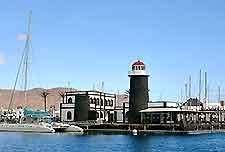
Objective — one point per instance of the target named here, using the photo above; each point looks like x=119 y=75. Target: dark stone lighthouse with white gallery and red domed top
x=138 y=93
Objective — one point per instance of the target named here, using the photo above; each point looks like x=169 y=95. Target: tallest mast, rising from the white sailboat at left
x=26 y=61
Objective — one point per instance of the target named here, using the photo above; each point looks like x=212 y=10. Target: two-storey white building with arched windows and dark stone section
x=88 y=105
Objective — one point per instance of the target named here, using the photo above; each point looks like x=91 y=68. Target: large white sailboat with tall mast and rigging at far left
x=24 y=126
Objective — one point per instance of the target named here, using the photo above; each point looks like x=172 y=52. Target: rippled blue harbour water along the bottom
x=27 y=142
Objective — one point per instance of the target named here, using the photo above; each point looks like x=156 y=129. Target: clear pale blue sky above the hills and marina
x=84 y=43
